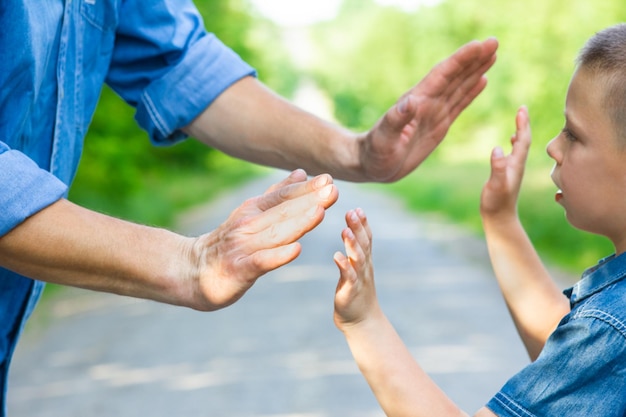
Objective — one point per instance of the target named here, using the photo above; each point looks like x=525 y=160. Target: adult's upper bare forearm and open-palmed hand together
x=251 y=122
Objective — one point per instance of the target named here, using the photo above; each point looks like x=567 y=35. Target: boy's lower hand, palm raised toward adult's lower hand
x=355 y=297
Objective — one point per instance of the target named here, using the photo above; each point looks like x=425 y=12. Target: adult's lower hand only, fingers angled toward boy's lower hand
x=259 y=236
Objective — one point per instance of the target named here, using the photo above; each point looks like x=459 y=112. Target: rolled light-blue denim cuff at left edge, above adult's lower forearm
x=25 y=189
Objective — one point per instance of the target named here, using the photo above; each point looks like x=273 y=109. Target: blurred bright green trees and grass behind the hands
x=349 y=61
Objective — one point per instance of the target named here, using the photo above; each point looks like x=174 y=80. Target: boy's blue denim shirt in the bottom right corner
x=582 y=368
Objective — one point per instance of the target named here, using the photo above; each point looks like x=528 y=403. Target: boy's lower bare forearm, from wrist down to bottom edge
x=398 y=382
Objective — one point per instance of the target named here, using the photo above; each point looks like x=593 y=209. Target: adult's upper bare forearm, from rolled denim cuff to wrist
x=251 y=122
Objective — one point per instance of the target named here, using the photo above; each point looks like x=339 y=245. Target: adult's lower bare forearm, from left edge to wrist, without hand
x=70 y=245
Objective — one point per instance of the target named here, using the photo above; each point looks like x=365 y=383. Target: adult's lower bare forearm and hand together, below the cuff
x=70 y=245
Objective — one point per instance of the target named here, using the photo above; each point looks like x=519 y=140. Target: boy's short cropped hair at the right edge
x=605 y=54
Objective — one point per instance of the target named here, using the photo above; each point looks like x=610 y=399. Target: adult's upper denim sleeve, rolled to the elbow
x=168 y=67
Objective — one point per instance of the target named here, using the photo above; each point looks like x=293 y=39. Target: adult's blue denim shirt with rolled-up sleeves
x=54 y=58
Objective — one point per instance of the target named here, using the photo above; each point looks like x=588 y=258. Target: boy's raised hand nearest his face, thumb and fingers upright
x=499 y=195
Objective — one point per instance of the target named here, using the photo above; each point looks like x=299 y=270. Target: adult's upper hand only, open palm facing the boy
x=419 y=121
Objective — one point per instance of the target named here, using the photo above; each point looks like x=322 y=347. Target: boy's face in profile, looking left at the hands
x=590 y=168
